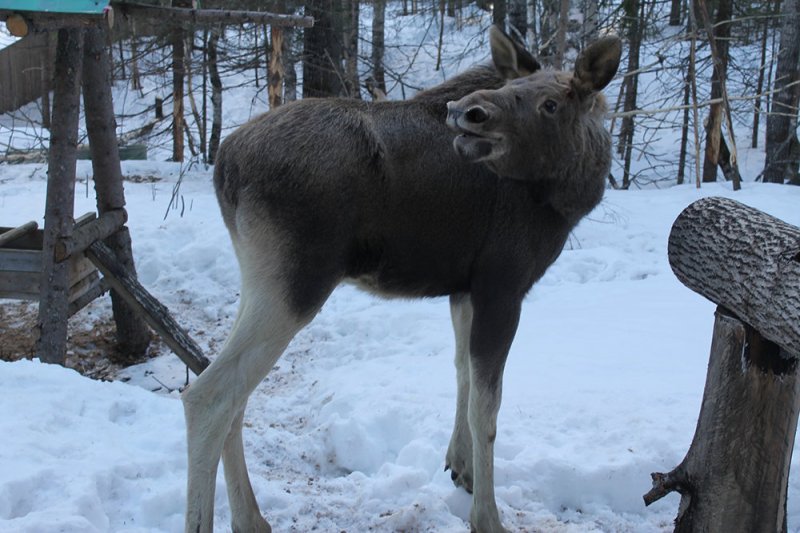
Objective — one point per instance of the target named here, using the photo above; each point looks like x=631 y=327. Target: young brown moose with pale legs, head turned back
x=467 y=190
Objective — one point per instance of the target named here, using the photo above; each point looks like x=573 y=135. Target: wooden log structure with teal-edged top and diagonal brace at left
x=60 y=260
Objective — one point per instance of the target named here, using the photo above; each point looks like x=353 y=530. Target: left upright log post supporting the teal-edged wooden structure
x=58 y=219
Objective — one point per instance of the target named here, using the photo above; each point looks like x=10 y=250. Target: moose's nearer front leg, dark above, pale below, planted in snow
x=493 y=327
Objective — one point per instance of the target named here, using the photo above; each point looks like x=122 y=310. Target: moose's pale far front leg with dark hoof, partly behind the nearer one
x=459 y=453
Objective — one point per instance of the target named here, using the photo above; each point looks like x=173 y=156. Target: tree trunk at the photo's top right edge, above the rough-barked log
x=779 y=164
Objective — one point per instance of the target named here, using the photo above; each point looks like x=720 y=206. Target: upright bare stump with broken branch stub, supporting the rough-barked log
x=736 y=472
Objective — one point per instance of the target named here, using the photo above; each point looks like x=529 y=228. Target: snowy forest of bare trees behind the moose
x=703 y=83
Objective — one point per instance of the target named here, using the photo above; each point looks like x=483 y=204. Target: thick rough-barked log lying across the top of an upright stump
x=744 y=260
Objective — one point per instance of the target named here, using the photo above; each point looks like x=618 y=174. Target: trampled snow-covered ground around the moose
x=603 y=386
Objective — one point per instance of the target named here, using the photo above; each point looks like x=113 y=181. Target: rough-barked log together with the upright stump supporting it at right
x=735 y=474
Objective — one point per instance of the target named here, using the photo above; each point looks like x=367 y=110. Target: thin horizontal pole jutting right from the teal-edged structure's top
x=210 y=16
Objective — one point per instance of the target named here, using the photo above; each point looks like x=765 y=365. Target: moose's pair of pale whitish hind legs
x=215 y=402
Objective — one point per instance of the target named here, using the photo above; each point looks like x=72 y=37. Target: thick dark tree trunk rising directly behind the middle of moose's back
x=322 y=51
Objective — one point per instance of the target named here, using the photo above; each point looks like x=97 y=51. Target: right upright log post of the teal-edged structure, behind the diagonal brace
x=133 y=337
